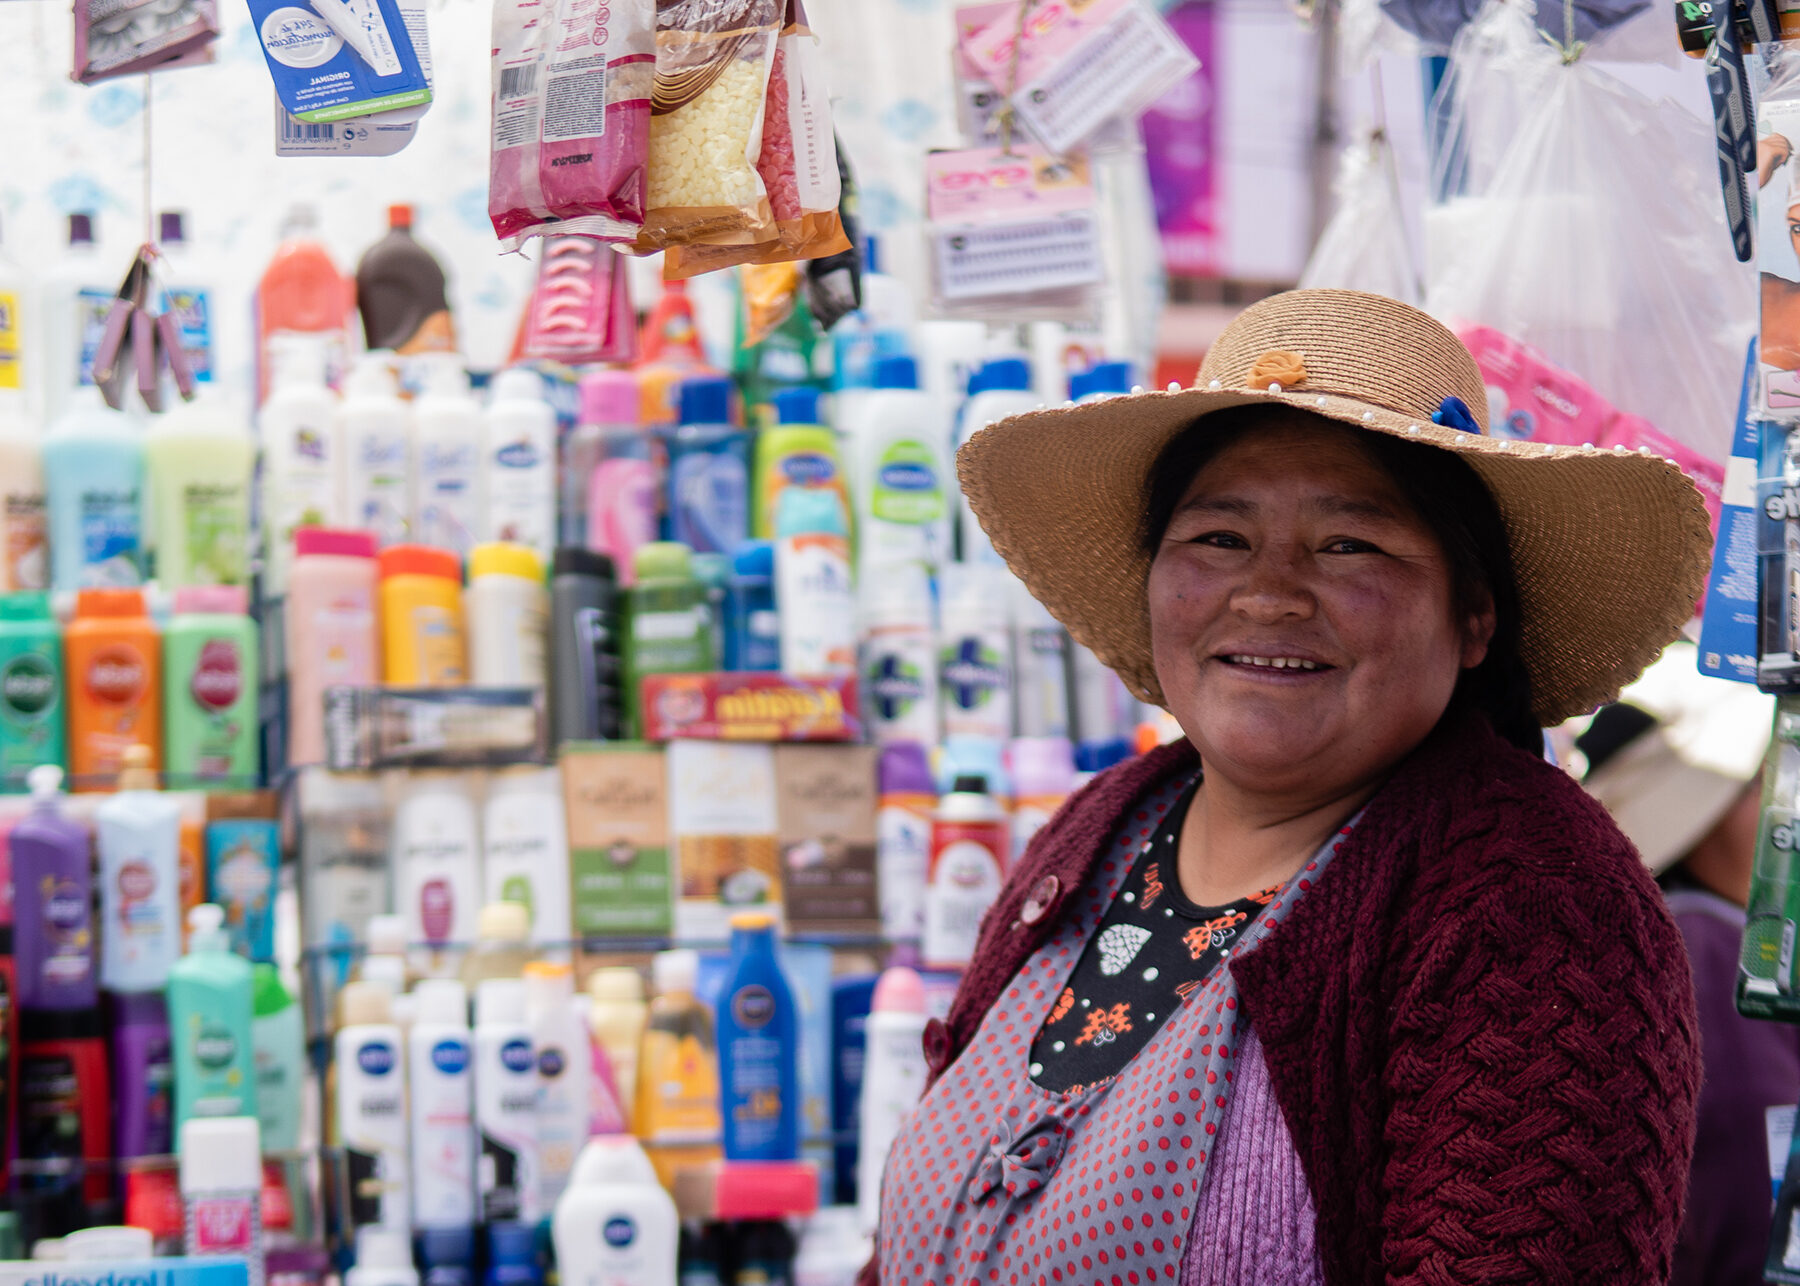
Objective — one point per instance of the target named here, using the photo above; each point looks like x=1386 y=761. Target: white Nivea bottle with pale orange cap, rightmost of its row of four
x=566 y=1064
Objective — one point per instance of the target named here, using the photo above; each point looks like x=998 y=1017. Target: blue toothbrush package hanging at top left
x=334 y=60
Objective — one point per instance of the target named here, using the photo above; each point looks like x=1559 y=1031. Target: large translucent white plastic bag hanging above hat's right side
x=1556 y=248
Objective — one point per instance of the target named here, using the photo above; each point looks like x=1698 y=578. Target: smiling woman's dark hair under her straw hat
x=1446 y=494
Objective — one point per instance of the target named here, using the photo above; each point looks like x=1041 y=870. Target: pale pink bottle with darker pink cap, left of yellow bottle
x=330 y=629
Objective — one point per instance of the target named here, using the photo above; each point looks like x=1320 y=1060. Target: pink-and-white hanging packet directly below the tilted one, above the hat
x=1014 y=235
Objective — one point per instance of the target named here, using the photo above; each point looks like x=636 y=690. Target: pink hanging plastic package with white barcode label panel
x=571 y=118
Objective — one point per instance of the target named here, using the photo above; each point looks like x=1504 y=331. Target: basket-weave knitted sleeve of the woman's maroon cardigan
x=1542 y=1074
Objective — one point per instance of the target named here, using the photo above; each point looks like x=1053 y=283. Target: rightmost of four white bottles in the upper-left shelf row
x=519 y=466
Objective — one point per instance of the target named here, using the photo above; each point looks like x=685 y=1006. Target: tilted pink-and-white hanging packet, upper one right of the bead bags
x=1070 y=68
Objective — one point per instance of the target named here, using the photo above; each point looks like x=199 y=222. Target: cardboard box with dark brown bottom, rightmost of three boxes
x=825 y=804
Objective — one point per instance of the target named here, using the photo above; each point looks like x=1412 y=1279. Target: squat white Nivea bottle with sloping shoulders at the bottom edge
x=616 y=1226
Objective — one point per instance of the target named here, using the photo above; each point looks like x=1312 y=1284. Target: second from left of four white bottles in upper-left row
x=377 y=439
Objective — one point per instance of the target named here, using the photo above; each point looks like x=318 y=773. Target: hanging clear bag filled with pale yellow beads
x=706 y=127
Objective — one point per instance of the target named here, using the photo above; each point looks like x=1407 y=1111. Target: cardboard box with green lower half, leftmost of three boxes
x=616 y=797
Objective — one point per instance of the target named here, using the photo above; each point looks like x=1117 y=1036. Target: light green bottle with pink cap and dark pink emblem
x=210 y=703
